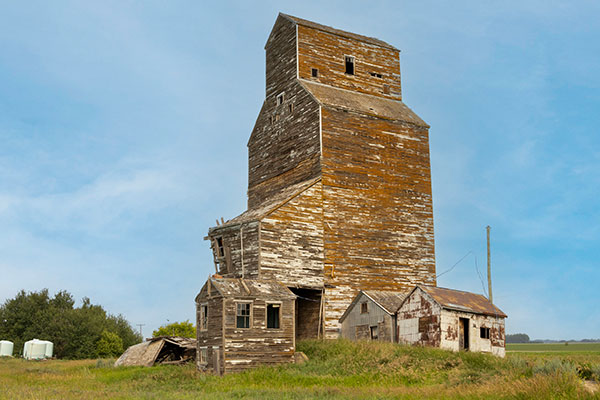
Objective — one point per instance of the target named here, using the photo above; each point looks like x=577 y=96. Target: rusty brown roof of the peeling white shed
x=459 y=300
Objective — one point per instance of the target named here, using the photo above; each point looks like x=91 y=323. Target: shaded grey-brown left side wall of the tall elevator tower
x=284 y=147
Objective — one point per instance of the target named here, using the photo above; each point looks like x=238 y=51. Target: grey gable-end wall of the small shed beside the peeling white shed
x=357 y=325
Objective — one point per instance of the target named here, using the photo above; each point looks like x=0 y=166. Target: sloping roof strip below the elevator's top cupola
x=361 y=102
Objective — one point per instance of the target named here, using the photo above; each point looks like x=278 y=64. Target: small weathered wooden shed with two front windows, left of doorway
x=242 y=323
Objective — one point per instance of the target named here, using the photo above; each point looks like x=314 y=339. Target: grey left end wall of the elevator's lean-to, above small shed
x=233 y=237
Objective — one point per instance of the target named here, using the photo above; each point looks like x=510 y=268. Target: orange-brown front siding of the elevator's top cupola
x=326 y=51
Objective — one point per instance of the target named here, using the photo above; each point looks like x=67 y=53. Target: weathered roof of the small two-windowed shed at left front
x=237 y=287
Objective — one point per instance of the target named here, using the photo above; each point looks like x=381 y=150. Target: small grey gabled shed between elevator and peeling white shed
x=372 y=316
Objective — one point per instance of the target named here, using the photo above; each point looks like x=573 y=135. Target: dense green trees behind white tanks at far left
x=81 y=332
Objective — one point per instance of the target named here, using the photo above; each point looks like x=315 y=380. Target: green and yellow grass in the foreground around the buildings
x=335 y=370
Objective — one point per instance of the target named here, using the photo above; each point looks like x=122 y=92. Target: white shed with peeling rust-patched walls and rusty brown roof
x=451 y=319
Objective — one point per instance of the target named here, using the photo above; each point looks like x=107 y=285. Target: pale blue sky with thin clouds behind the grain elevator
x=123 y=131
